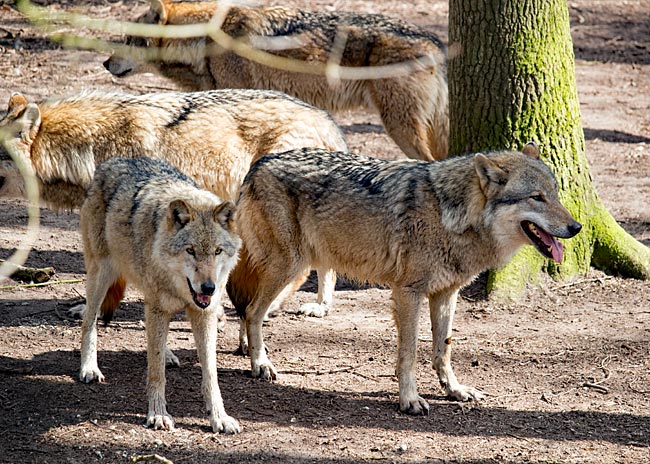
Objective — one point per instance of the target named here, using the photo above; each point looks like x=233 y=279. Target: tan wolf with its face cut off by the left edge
x=211 y=136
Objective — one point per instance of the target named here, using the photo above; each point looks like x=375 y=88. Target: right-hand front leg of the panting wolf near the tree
x=442 y=307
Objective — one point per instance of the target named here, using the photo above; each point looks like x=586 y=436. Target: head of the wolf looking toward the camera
x=200 y=246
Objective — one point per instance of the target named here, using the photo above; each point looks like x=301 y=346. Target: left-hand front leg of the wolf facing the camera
x=157 y=326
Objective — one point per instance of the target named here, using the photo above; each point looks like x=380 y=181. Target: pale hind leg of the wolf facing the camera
x=100 y=277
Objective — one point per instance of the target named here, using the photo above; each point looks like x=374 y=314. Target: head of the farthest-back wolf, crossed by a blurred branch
x=139 y=50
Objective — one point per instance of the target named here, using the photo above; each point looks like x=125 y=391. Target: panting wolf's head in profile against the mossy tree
x=522 y=205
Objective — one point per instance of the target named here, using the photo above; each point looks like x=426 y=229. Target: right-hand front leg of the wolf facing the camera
x=204 y=327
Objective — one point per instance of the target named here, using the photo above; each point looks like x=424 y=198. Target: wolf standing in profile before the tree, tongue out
x=423 y=229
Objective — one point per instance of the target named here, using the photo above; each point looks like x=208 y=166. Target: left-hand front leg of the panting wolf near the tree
x=406 y=311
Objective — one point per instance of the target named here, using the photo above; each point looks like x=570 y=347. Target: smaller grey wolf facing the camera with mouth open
x=148 y=224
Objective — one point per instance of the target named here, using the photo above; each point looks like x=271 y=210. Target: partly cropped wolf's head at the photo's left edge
x=18 y=128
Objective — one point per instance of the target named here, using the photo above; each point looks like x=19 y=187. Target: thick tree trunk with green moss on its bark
x=511 y=81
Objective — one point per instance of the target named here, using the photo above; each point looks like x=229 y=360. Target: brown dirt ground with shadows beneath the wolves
x=567 y=369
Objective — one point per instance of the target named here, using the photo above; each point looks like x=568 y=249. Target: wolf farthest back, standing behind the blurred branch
x=413 y=107
